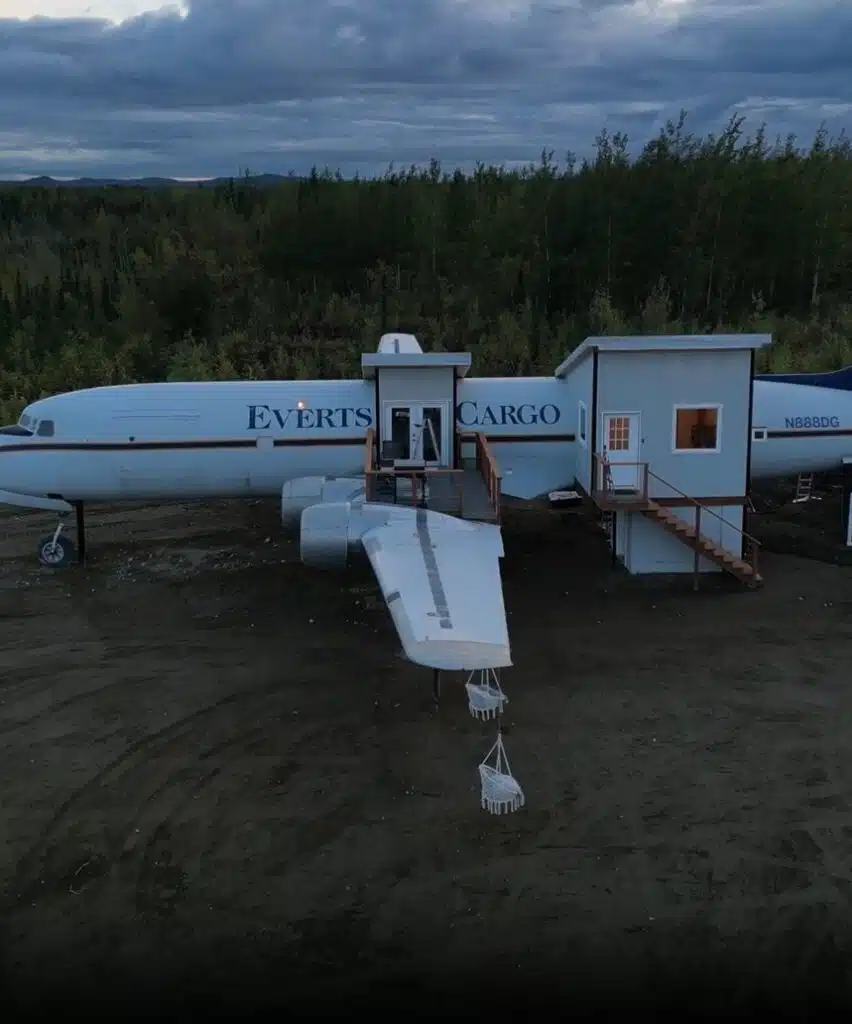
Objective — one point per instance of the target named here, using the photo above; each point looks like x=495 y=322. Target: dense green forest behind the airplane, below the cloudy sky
x=297 y=280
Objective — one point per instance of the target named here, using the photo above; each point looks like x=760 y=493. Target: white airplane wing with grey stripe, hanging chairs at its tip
x=442 y=584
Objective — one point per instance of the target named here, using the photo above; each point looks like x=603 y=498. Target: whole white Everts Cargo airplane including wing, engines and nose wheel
x=305 y=442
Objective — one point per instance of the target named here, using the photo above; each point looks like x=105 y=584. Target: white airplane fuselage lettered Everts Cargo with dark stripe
x=244 y=439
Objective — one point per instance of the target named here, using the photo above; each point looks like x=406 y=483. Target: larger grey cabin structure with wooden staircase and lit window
x=664 y=429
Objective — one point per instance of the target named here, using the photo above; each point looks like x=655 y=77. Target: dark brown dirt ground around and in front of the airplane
x=221 y=778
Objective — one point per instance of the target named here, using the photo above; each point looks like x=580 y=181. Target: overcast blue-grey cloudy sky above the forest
x=209 y=88
